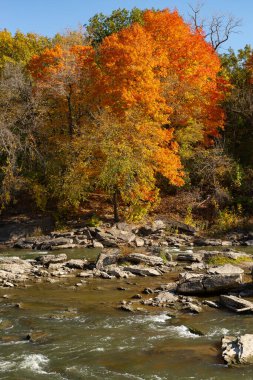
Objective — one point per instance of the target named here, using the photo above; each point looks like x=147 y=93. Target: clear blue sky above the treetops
x=48 y=17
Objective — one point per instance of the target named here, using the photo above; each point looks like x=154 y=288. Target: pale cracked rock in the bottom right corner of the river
x=238 y=350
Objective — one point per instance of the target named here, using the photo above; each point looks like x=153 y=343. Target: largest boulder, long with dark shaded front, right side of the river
x=193 y=283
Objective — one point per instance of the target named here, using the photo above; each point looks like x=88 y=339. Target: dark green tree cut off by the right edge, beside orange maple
x=238 y=131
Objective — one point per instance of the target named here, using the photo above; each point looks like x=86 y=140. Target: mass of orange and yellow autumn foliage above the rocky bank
x=117 y=114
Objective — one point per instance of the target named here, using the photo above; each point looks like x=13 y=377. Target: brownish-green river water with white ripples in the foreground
x=85 y=336
